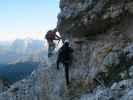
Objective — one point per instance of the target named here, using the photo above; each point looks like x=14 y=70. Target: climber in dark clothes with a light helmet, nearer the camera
x=65 y=57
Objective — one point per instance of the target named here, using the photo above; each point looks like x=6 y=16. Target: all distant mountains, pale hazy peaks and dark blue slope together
x=20 y=57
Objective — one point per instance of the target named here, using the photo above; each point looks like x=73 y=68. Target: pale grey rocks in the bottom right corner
x=121 y=91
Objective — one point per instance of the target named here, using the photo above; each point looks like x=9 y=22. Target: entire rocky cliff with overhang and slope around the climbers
x=102 y=67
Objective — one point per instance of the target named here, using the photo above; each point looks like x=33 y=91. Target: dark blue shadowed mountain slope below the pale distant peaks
x=18 y=71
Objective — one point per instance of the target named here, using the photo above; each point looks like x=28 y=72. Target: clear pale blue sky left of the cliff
x=27 y=18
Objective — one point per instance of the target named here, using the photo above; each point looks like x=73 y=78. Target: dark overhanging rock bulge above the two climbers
x=85 y=17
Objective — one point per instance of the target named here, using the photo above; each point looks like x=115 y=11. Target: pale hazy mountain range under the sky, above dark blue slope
x=22 y=50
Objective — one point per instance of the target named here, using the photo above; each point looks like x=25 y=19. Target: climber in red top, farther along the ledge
x=50 y=36
